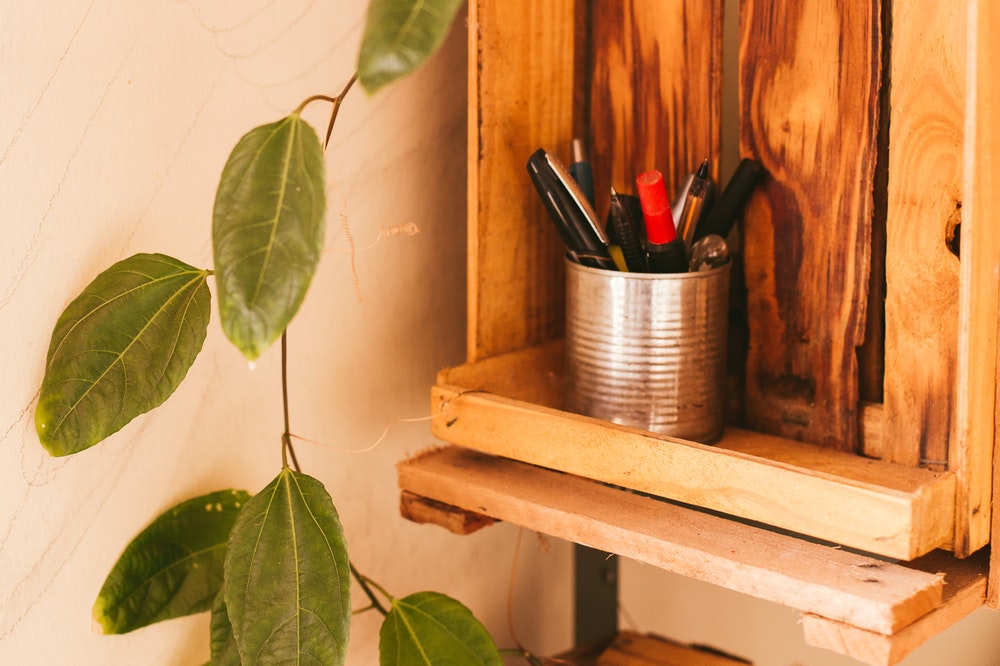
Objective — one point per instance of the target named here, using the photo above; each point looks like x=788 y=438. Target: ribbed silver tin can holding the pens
x=648 y=350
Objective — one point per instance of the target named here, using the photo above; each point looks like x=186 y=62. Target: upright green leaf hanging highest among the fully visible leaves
x=267 y=231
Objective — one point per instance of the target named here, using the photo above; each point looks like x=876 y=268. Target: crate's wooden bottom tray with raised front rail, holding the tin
x=871 y=505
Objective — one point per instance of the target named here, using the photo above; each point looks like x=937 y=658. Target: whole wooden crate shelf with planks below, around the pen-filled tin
x=856 y=329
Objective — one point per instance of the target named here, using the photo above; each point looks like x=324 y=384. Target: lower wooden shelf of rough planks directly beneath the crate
x=867 y=607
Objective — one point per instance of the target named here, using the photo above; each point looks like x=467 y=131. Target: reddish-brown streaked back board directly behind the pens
x=656 y=92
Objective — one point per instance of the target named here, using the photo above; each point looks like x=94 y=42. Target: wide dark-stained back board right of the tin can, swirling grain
x=809 y=88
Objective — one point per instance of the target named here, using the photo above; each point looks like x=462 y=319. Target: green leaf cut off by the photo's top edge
x=400 y=35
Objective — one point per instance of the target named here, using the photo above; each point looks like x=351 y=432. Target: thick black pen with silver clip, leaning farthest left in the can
x=568 y=207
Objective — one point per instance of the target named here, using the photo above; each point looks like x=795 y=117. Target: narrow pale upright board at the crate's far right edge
x=972 y=455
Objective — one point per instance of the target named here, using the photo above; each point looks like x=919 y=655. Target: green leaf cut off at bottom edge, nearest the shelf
x=431 y=628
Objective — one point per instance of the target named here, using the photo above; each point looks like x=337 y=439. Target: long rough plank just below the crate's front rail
x=834 y=583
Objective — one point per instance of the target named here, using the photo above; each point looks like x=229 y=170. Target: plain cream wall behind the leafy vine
x=115 y=120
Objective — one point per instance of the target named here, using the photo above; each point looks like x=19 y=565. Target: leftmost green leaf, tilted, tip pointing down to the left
x=120 y=349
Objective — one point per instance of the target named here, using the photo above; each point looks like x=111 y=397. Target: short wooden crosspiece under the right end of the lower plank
x=964 y=591
